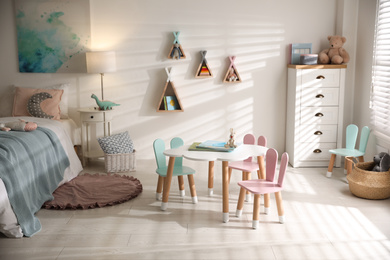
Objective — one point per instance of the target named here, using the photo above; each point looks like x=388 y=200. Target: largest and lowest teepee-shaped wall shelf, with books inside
x=169 y=101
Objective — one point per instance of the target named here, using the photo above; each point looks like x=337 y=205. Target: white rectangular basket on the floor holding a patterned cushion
x=121 y=162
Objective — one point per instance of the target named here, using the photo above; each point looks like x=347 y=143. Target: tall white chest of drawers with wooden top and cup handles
x=315 y=100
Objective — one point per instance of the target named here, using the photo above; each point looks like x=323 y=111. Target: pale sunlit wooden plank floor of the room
x=323 y=221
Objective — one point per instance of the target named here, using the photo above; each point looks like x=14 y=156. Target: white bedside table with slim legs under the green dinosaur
x=91 y=117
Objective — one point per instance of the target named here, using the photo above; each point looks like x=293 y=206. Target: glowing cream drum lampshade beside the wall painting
x=101 y=61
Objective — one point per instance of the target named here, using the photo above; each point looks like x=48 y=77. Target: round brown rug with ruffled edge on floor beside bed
x=93 y=190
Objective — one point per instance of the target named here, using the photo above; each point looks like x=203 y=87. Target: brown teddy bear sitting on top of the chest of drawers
x=336 y=54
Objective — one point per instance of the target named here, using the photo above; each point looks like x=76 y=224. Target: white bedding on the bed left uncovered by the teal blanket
x=68 y=134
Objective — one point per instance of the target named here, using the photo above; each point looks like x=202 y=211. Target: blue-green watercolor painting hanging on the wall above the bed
x=52 y=35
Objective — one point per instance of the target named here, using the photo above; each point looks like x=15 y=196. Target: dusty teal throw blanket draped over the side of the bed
x=32 y=164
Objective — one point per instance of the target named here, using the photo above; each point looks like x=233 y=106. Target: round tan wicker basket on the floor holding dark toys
x=368 y=184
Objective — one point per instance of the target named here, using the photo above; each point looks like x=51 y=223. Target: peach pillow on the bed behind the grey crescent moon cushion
x=50 y=106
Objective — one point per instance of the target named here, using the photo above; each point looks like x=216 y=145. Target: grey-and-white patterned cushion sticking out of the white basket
x=118 y=143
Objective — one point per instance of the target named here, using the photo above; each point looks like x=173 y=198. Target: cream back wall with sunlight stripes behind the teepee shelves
x=140 y=31
